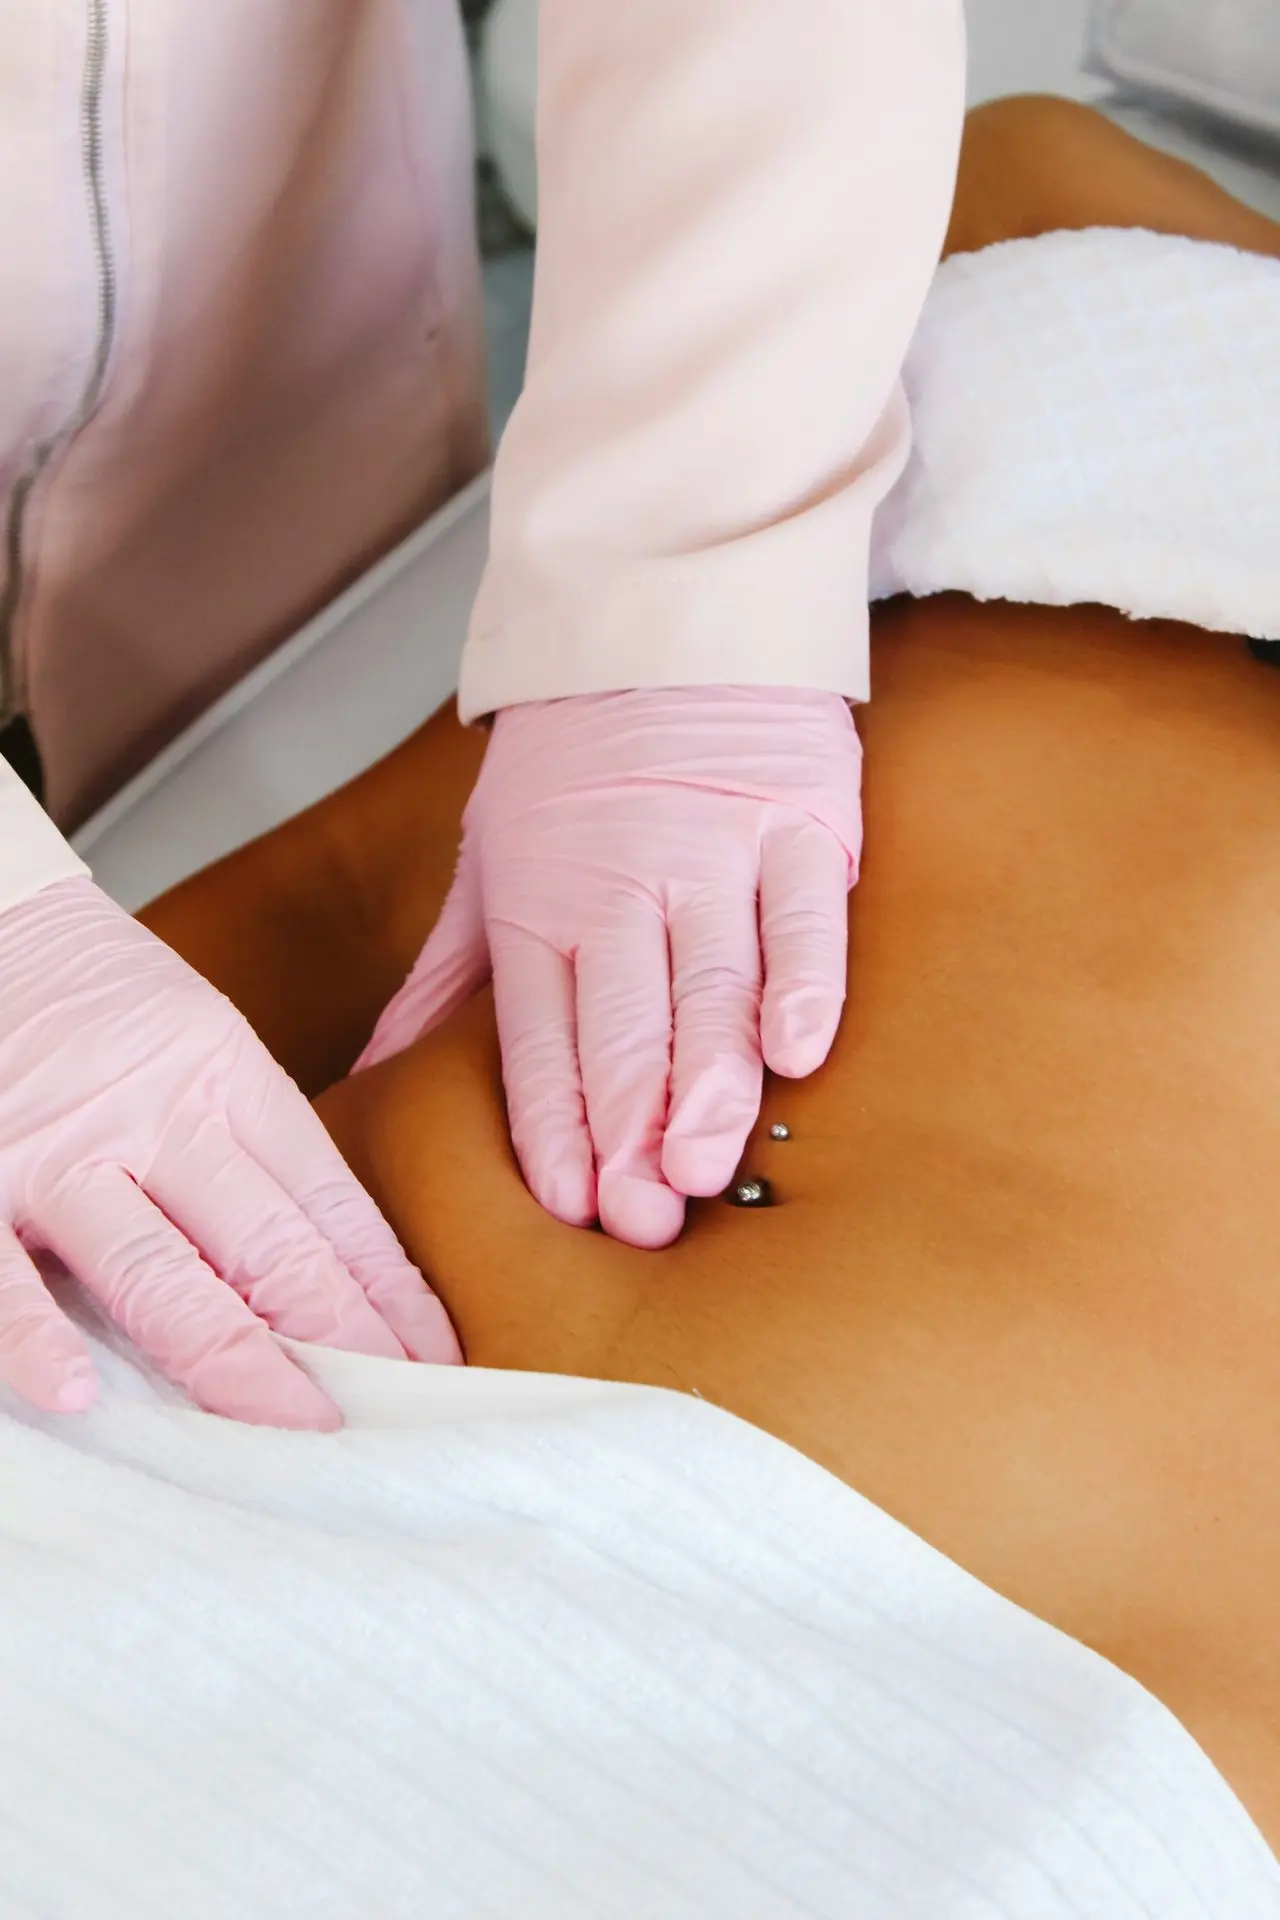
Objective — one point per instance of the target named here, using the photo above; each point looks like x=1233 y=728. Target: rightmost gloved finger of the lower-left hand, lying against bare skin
x=287 y=1140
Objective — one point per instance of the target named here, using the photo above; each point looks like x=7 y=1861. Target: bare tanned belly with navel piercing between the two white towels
x=1022 y=1285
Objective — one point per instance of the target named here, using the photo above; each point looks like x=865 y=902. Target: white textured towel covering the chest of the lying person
x=1097 y=420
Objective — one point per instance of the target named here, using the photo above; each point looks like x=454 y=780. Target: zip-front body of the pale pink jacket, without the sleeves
x=245 y=308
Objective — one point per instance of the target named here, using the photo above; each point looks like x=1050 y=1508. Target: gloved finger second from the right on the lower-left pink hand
x=262 y=1245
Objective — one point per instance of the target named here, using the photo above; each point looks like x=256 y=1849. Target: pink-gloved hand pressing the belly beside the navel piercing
x=659 y=886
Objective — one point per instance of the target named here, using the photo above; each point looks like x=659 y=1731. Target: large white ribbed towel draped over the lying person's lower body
x=548 y=1650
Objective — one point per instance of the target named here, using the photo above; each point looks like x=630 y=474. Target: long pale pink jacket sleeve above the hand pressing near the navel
x=742 y=206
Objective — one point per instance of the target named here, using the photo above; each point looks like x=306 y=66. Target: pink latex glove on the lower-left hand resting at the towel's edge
x=154 y=1147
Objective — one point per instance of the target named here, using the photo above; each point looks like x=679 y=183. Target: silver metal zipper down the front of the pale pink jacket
x=93 y=87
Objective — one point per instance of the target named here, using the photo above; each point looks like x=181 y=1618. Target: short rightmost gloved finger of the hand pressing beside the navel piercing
x=805 y=882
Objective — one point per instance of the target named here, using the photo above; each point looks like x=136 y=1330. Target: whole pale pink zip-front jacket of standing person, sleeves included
x=241 y=347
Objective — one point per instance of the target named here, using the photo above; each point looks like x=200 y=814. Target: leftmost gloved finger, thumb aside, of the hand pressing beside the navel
x=534 y=997
